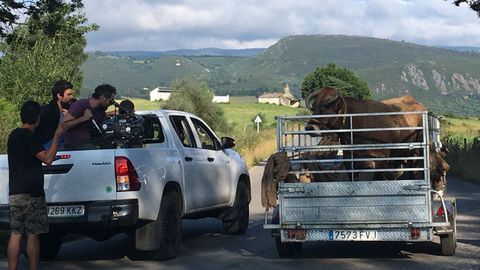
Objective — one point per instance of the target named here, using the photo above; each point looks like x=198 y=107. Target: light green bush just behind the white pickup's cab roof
x=195 y=97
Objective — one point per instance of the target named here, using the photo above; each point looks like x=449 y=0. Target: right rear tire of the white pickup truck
x=170 y=225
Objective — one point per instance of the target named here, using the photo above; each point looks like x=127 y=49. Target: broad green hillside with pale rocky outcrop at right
x=447 y=81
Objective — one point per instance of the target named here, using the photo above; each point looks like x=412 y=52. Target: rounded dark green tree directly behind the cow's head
x=344 y=80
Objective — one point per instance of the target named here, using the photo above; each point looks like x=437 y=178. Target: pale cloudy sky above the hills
x=236 y=24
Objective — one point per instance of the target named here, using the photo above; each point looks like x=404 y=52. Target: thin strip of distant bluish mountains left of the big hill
x=186 y=52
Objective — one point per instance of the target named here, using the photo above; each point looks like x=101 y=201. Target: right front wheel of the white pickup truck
x=236 y=222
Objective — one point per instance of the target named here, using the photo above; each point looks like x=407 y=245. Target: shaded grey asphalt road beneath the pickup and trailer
x=205 y=246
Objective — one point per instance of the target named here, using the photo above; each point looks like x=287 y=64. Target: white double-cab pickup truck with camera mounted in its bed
x=158 y=168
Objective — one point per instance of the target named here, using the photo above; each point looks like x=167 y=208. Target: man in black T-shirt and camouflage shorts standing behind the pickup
x=28 y=209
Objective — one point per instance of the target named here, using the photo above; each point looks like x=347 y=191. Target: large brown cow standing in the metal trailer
x=329 y=101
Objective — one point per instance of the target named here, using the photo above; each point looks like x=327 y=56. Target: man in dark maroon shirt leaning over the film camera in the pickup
x=84 y=114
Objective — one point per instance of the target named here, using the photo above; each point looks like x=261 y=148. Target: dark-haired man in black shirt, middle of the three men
x=51 y=116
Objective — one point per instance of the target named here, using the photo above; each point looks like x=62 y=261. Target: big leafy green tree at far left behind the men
x=47 y=46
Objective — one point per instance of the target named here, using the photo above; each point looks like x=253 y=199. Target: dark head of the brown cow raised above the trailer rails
x=326 y=100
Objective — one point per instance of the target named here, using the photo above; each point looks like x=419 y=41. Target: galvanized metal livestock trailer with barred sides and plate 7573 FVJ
x=359 y=190
